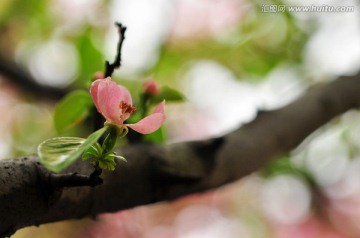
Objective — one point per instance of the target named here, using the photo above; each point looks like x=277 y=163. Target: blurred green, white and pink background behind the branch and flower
x=230 y=58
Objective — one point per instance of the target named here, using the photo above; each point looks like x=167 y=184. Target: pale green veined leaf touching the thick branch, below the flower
x=58 y=153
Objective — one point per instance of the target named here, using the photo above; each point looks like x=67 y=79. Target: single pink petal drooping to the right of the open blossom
x=152 y=122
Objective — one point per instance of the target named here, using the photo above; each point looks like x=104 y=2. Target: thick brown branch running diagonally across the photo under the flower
x=157 y=173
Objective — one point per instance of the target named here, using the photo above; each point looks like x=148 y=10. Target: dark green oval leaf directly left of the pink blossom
x=72 y=109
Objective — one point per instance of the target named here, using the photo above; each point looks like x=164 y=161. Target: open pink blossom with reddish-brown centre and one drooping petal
x=114 y=102
